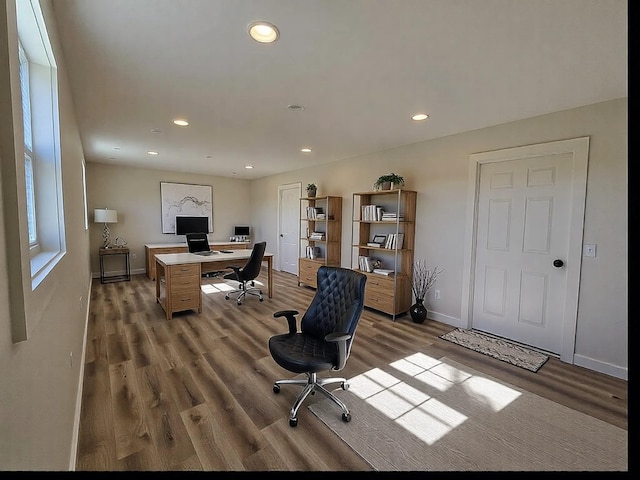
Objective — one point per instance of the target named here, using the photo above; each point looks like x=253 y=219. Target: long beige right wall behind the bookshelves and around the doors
x=438 y=170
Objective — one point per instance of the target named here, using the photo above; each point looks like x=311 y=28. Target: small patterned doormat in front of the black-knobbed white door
x=497 y=348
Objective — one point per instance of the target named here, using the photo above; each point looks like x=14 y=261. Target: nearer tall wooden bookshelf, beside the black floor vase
x=381 y=214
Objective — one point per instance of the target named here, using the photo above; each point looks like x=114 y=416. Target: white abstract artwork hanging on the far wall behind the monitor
x=185 y=199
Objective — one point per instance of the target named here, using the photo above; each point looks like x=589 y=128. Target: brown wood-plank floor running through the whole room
x=195 y=392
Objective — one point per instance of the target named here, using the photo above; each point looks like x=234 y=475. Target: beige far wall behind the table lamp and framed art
x=135 y=194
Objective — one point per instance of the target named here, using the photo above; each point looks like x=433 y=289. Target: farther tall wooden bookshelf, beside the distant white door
x=322 y=216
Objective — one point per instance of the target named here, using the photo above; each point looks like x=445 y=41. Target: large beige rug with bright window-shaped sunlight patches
x=428 y=414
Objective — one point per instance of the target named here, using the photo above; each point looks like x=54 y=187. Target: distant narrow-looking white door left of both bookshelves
x=288 y=228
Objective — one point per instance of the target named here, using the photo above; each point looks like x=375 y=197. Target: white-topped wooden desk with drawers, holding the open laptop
x=183 y=273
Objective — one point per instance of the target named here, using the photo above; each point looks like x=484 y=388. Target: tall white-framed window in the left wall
x=42 y=162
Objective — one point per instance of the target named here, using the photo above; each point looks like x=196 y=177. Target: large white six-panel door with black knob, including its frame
x=528 y=244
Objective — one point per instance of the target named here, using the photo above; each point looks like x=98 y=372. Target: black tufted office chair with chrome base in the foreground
x=324 y=342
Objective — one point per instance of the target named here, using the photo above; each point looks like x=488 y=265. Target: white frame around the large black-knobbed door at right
x=579 y=149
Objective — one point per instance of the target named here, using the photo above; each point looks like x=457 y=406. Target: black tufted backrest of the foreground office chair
x=337 y=304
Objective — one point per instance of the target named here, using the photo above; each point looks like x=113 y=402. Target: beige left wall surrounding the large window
x=40 y=377
